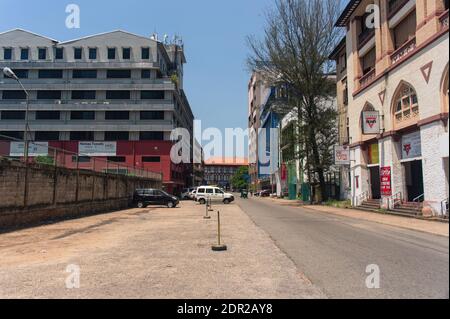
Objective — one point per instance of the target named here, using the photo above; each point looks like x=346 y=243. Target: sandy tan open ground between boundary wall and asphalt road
x=150 y=253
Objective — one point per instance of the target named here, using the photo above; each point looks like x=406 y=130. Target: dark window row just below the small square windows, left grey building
x=82 y=74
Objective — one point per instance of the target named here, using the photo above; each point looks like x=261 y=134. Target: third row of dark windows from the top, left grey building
x=83 y=95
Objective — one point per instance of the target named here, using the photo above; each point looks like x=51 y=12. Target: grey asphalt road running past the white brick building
x=334 y=252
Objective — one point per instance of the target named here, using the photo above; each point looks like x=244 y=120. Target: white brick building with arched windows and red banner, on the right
x=397 y=80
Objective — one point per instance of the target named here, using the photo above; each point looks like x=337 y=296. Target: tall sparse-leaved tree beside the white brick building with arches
x=298 y=39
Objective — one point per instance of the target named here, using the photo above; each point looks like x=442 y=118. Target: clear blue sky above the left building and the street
x=214 y=34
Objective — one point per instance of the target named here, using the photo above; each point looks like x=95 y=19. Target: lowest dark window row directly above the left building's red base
x=83 y=136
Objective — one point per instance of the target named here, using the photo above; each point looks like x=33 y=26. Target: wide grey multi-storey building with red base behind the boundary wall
x=117 y=88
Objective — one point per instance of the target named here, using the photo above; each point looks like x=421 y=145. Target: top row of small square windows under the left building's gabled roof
x=77 y=53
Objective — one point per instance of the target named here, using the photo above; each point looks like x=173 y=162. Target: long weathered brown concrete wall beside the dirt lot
x=55 y=193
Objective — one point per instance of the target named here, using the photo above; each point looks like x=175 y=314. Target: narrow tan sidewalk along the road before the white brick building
x=427 y=226
